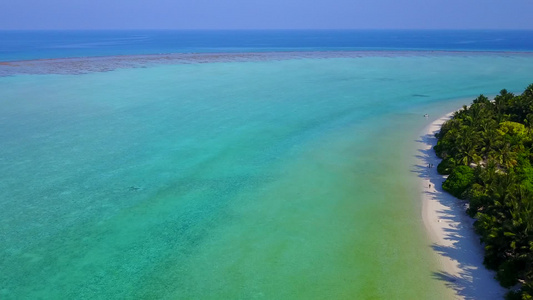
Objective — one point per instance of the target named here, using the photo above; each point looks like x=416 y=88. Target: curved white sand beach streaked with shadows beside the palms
x=450 y=229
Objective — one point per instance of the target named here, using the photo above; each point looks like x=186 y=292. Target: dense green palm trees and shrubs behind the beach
x=487 y=151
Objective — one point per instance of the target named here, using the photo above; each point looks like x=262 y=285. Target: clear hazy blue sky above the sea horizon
x=266 y=14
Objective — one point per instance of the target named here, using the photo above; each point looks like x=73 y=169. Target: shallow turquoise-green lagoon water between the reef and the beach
x=289 y=179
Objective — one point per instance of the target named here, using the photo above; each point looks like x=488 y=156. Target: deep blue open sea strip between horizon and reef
x=23 y=45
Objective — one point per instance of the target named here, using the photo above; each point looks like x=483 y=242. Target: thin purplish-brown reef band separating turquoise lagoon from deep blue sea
x=84 y=65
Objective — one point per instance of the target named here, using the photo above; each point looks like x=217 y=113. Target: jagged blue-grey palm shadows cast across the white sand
x=460 y=243
